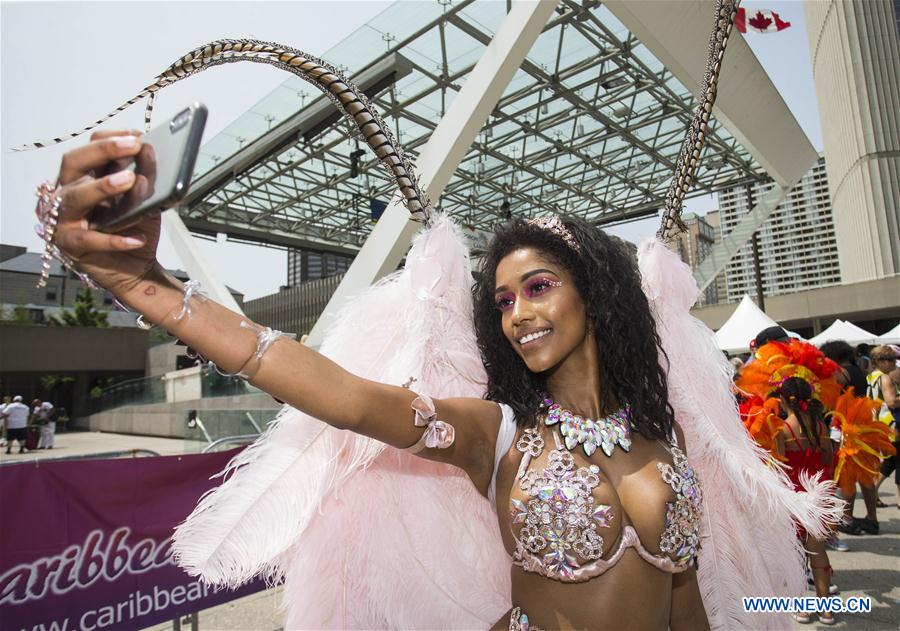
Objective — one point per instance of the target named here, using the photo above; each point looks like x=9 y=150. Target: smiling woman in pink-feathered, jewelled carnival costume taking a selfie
x=541 y=454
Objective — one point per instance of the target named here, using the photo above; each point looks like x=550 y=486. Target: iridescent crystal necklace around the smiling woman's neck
x=605 y=432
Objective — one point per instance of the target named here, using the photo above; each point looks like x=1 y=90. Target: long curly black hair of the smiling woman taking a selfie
x=606 y=276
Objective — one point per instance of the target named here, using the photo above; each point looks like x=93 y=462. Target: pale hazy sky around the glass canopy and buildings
x=67 y=63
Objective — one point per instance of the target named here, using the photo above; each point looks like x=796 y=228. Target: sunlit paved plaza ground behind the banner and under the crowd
x=871 y=567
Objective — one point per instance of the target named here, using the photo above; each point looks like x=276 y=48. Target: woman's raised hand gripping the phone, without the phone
x=92 y=178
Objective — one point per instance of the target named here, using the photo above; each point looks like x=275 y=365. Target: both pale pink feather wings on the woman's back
x=411 y=544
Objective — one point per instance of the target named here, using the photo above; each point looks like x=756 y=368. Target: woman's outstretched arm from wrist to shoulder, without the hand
x=316 y=385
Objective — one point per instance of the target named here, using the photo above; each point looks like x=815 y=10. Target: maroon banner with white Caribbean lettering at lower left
x=85 y=545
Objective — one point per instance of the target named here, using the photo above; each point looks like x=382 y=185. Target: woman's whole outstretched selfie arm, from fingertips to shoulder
x=126 y=265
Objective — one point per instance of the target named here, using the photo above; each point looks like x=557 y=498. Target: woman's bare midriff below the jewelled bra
x=630 y=595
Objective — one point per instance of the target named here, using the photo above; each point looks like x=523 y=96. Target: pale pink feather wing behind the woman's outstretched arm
x=410 y=543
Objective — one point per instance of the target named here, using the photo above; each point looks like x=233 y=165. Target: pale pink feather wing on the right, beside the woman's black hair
x=743 y=487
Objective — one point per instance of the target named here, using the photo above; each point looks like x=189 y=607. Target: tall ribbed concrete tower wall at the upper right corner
x=856 y=66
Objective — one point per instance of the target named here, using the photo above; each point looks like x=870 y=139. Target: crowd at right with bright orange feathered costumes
x=830 y=411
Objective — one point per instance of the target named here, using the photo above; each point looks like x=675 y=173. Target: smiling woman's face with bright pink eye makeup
x=543 y=315
